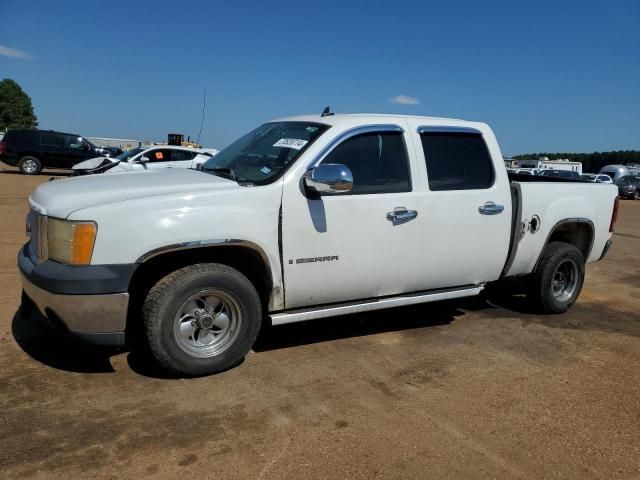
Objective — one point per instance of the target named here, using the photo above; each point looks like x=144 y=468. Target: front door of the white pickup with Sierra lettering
x=349 y=246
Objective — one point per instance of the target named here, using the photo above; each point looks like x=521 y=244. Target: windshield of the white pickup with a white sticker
x=263 y=155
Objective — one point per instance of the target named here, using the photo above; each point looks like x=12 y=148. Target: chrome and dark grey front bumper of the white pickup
x=89 y=302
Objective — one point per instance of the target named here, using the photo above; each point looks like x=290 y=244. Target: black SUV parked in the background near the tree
x=32 y=150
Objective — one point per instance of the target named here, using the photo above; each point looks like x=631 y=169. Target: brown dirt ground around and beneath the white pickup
x=468 y=389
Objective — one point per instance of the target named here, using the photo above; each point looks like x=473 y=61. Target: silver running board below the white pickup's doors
x=313 y=313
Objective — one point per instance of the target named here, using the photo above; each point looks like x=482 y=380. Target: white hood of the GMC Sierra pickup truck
x=61 y=197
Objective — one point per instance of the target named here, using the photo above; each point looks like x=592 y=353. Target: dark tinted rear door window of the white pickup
x=457 y=161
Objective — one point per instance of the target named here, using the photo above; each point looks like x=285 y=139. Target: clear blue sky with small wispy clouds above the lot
x=548 y=76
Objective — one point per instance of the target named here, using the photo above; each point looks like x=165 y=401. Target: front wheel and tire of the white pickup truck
x=171 y=296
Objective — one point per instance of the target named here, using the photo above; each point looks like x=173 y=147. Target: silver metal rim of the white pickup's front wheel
x=207 y=323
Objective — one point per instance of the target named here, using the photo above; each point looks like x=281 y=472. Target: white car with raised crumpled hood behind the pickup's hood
x=145 y=158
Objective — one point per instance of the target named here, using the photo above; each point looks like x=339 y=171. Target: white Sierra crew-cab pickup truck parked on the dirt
x=303 y=218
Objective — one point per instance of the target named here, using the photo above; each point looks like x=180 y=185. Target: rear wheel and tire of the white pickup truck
x=548 y=296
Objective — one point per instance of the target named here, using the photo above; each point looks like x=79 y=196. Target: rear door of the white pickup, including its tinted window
x=465 y=204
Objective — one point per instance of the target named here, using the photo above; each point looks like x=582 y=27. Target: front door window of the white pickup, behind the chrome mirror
x=378 y=162
